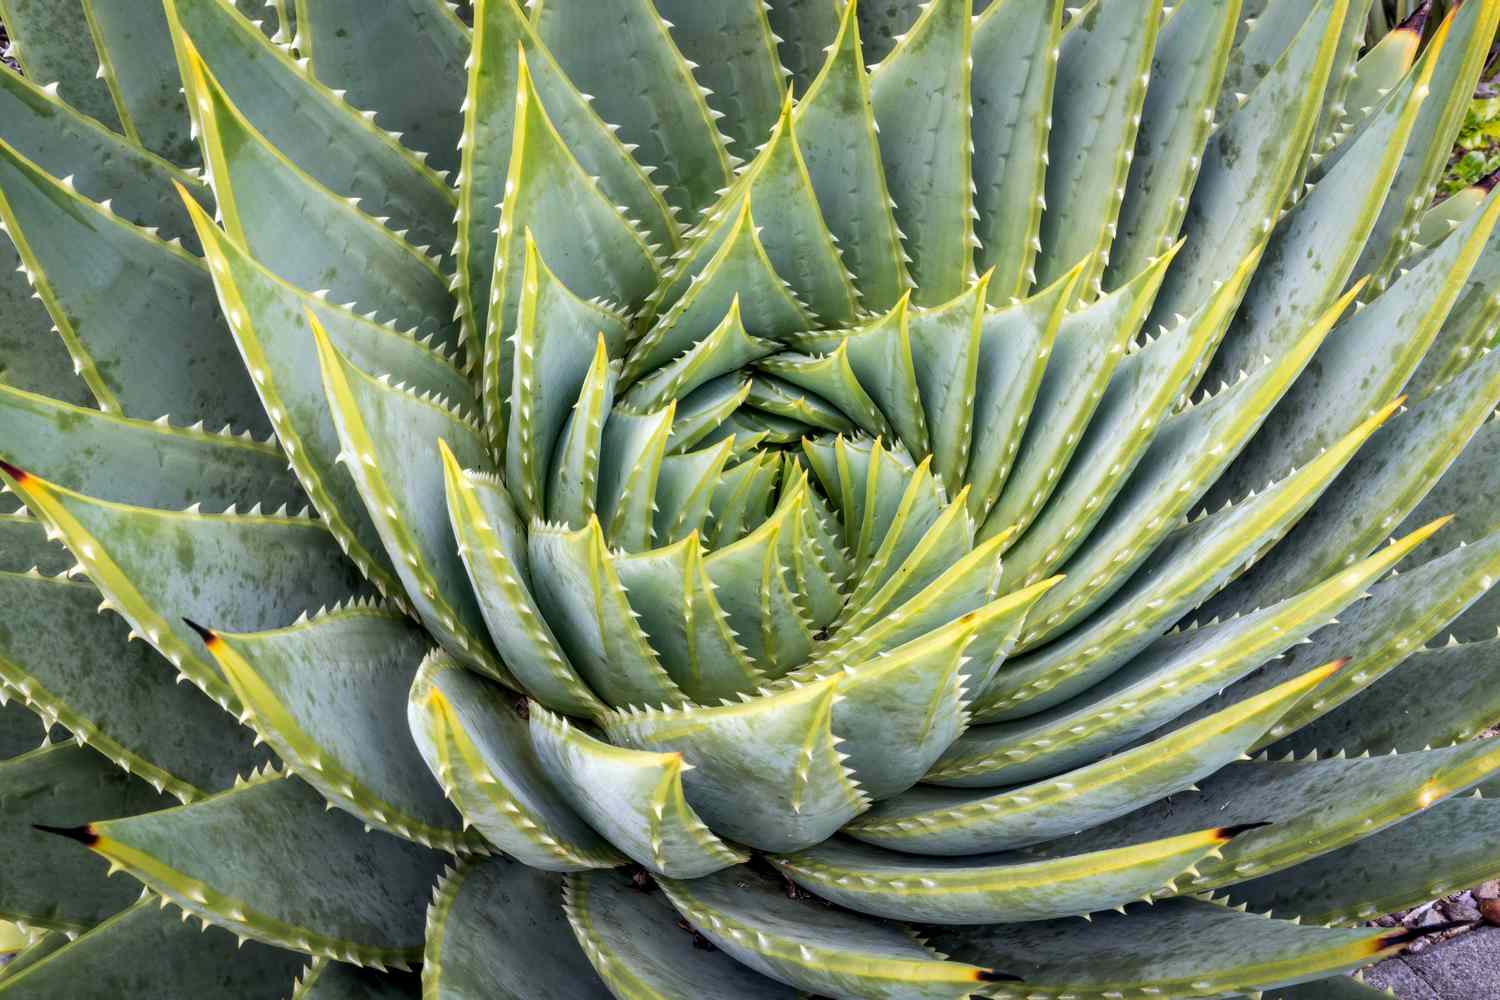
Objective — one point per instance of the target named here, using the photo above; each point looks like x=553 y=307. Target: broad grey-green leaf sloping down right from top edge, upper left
x=310 y=125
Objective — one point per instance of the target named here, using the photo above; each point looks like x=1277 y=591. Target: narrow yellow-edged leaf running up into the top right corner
x=1456 y=58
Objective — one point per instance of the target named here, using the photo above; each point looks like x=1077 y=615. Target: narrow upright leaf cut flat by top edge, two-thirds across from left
x=1016 y=50
